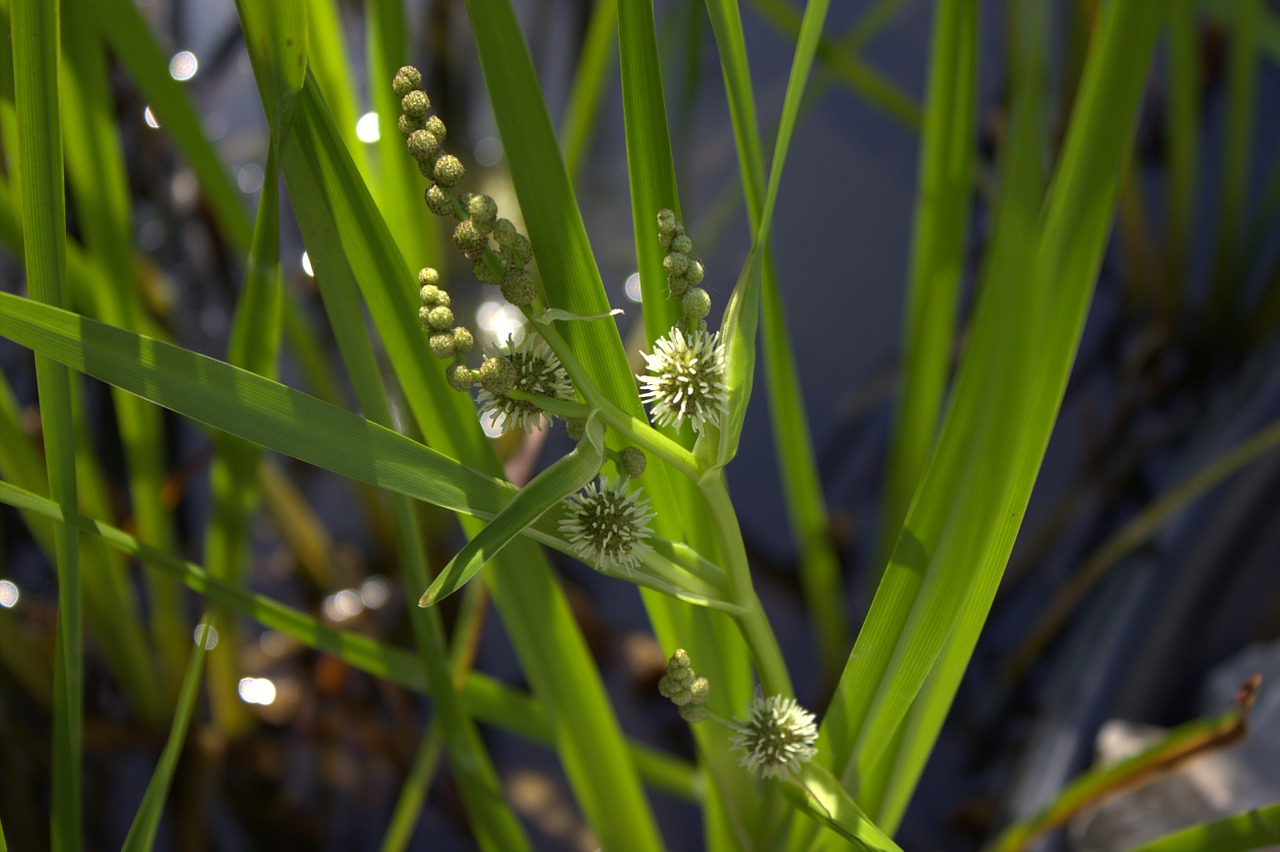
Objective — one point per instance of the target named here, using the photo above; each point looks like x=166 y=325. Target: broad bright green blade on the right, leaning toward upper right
x=962 y=528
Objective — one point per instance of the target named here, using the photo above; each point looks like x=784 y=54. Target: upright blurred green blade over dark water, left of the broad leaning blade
x=948 y=153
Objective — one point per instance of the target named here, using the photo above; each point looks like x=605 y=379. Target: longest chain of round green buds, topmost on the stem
x=499 y=254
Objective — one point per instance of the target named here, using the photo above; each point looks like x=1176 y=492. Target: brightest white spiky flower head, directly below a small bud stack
x=685 y=379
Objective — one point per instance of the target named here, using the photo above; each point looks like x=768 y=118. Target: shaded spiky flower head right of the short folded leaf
x=609 y=526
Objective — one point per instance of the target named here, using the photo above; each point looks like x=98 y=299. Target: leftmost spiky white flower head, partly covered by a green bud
x=537 y=370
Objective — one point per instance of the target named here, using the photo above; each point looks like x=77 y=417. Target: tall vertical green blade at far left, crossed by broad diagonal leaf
x=35 y=70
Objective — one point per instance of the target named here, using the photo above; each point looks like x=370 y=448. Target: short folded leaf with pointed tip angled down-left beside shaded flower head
x=563 y=478
